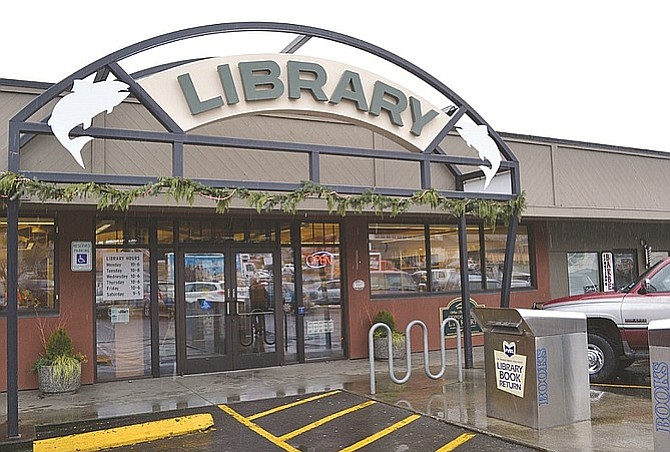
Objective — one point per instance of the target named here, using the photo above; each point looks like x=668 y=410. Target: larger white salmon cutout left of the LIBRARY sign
x=85 y=102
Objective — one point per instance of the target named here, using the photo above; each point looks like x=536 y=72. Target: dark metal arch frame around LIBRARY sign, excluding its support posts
x=19 y=123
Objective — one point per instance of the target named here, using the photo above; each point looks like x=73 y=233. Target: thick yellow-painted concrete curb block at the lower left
x=126 y=435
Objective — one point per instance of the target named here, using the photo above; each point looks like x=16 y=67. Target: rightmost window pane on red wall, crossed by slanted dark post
x=495 y=245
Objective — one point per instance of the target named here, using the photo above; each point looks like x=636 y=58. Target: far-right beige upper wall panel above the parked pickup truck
x=607 y=180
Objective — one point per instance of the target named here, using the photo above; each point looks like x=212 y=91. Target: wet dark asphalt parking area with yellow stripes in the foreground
x=333 y=420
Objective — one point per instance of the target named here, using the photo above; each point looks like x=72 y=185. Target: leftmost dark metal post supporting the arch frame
x=12 y=319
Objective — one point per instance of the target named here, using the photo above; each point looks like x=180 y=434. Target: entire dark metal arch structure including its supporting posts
x=19 y=125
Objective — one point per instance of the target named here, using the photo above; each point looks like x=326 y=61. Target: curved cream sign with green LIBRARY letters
x=208 y=90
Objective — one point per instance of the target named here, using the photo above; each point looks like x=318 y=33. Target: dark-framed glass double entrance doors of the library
x=229 y=310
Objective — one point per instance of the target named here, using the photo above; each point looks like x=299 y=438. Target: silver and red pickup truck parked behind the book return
x=617 y=321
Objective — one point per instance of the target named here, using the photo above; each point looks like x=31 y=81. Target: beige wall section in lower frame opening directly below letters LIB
x=244 y=164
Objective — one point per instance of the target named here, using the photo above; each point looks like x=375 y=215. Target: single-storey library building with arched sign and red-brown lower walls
x=211 y=212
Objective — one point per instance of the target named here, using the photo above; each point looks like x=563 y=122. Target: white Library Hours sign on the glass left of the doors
x=123 y=276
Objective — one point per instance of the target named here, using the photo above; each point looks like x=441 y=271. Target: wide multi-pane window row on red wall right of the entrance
x=399 y=261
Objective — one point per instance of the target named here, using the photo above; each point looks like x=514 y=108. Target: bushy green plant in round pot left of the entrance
x=59 y=368
